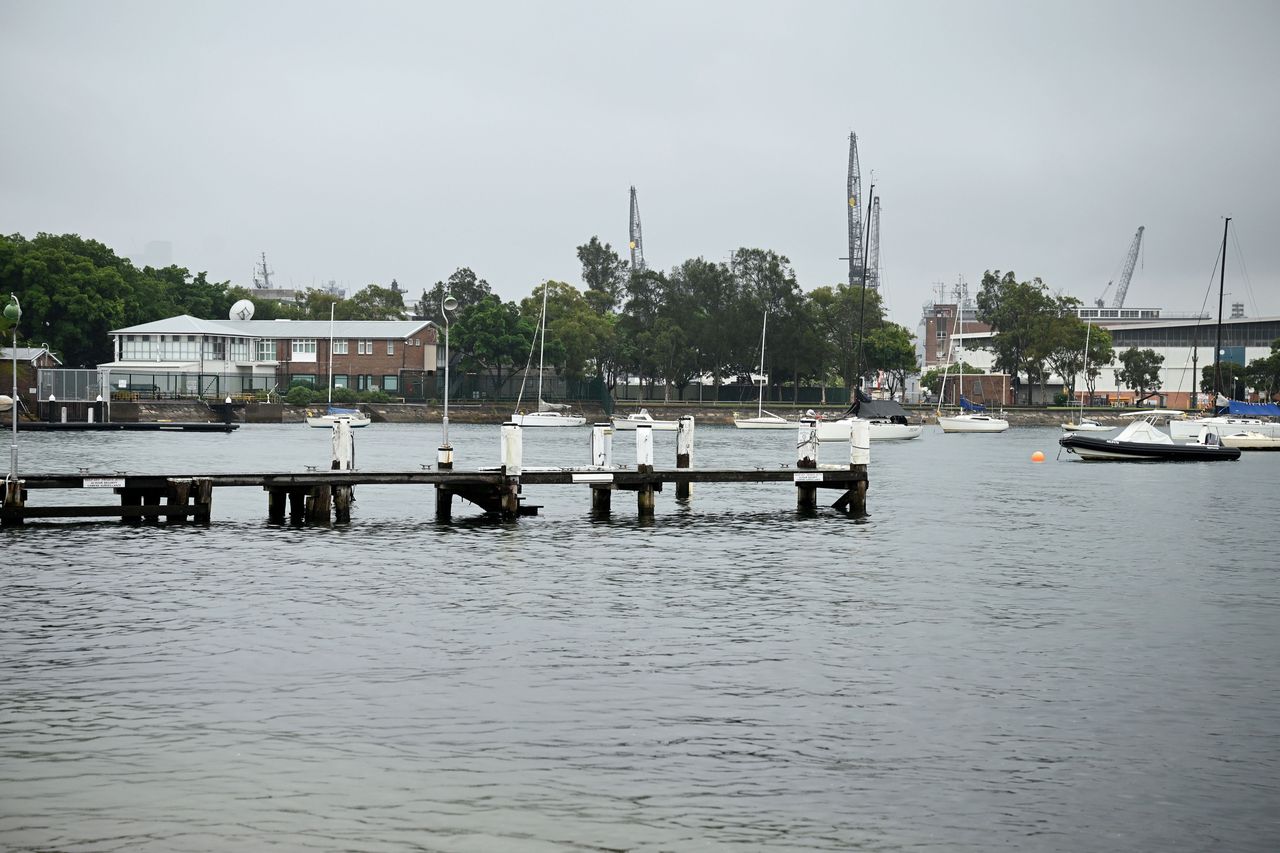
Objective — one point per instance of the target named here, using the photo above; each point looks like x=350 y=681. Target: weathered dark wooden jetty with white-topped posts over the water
x=322 y=498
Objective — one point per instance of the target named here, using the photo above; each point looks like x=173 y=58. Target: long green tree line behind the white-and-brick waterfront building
x=668 y=329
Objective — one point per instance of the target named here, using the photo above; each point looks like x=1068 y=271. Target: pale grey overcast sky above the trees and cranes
x=369 y=142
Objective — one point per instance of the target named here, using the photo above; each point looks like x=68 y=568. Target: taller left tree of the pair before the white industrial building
x=1021 y=316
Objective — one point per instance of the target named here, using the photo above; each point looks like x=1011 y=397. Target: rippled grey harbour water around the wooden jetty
x=1039 y=658
